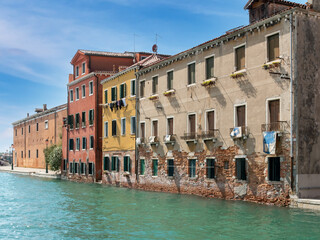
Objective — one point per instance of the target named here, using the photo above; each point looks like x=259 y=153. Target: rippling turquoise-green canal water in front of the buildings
x=33 y=208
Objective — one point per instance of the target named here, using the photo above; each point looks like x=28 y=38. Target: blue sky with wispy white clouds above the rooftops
x=38 y=39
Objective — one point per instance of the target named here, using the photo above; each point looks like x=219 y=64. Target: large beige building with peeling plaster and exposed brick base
x=220 y=119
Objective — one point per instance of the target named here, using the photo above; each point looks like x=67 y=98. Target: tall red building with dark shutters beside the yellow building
x=82 y=132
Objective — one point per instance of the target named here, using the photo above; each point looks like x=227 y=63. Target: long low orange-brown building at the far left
x=33 y=134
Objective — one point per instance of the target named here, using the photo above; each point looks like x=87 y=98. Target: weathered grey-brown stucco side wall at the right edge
x=308 y=104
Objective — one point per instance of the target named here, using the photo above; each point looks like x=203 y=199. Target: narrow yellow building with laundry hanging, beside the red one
x=119 y=124
